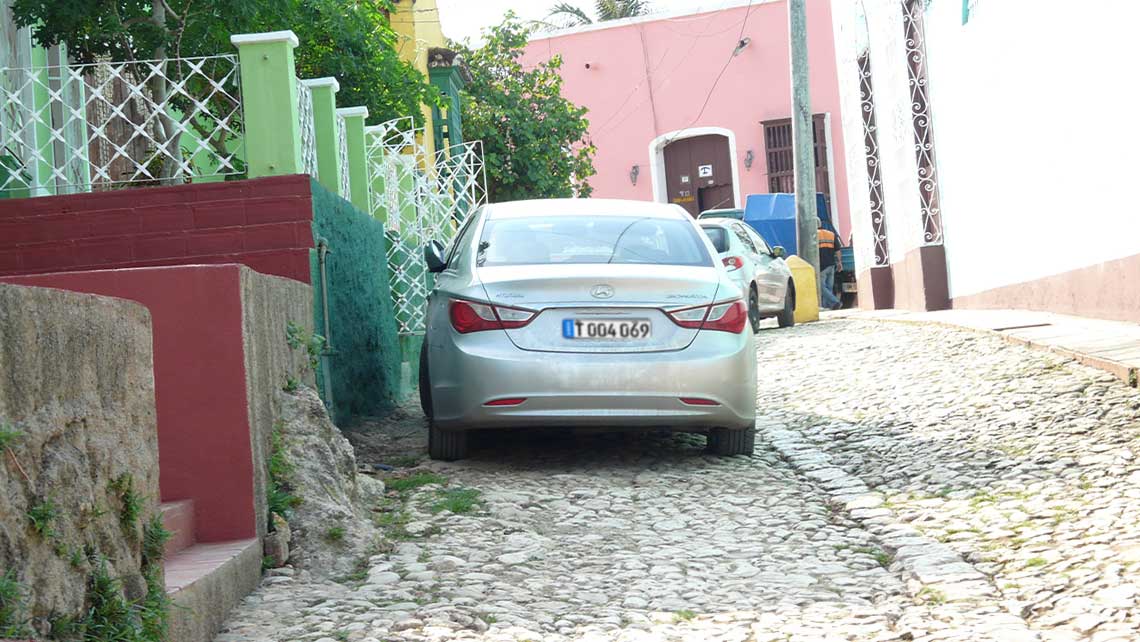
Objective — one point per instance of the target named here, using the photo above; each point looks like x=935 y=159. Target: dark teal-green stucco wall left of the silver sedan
x=368 y=377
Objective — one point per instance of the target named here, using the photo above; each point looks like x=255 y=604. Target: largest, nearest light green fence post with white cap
x=270 y=100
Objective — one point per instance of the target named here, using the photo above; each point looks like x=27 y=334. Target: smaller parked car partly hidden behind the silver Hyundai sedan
x=759 y=271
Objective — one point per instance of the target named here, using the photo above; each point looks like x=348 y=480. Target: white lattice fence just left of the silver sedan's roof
x=420 y=202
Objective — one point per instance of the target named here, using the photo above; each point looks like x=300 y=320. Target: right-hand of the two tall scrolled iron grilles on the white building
x=915 y=36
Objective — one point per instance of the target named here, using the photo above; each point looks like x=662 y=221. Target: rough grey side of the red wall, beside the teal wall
x=270 y=304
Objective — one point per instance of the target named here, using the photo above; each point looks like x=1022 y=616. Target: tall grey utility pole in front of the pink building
x=804 y=149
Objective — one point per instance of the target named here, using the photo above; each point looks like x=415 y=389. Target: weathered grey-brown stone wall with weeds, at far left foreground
x=77 y=385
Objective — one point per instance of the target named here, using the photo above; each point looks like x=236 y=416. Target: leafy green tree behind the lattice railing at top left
x=349 y=40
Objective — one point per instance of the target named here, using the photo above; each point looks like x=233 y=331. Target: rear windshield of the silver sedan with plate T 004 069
x=591 y=240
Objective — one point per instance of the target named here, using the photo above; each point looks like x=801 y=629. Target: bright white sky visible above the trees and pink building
x=466 y=19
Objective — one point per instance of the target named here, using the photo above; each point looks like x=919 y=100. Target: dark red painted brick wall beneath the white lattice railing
x=265 y=224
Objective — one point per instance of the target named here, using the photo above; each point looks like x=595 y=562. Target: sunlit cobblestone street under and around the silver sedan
x=910 y=483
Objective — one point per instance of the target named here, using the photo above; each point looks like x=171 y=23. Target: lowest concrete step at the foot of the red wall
x=206 y=582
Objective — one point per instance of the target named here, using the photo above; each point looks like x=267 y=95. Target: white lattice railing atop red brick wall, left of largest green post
x=77 y=128
